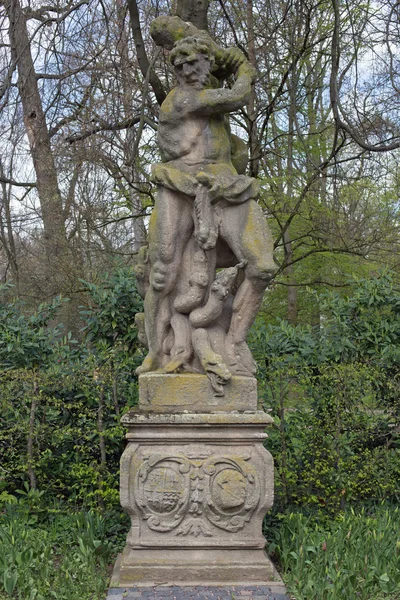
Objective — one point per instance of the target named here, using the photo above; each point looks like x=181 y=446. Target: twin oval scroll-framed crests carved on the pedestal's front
x=187 y=495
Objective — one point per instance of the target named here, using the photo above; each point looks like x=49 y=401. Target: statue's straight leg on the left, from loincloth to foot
x=171 y=226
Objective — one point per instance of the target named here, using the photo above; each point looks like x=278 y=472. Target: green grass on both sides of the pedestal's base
x=48 y=554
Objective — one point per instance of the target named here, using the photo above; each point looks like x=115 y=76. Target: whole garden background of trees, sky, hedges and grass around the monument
x=80 y=87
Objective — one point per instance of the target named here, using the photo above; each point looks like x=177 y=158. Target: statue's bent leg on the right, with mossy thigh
x=246 y=232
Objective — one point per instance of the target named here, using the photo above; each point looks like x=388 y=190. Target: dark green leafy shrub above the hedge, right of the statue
x=362 y=325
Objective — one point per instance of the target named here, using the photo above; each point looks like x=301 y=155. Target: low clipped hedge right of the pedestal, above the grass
x=332 y=448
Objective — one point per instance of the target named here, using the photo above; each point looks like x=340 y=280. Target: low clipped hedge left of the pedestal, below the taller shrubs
x=67 y=454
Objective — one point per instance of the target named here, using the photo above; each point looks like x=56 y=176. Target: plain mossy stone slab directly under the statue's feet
x=160 y=392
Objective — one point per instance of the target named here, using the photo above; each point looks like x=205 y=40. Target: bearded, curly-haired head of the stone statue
x=193 y=58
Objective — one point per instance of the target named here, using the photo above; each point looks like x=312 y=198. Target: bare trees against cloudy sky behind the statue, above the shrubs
x=87 y=81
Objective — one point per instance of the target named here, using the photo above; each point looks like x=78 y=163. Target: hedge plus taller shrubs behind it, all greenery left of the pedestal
x=76 y=395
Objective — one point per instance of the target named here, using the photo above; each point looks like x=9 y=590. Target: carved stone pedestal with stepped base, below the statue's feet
x=196 y=486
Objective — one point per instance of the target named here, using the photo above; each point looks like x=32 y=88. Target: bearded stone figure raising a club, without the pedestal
x=209 y=256
